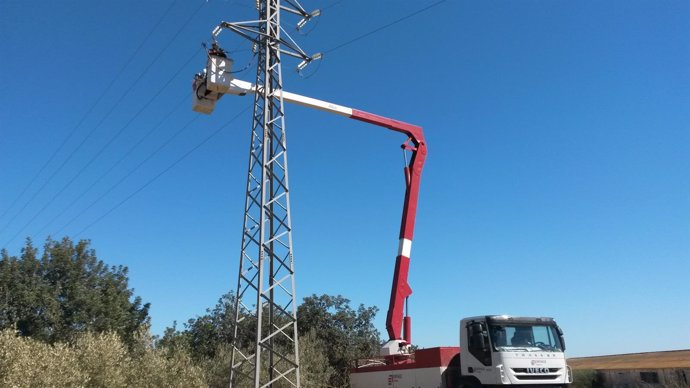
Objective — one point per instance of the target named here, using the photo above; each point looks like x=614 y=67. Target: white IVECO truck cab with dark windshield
x=504 y=350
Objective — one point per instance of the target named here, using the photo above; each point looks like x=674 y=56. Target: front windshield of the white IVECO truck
x=525 y=337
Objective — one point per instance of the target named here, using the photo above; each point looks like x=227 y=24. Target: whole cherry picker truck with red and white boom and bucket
x=497 y=349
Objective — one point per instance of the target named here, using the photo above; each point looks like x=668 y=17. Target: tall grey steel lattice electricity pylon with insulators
x=264 y=347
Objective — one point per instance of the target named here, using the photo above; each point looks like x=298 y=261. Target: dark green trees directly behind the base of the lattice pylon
x=331 y=334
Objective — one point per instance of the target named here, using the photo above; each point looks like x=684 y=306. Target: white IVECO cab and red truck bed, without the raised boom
x=494 y=350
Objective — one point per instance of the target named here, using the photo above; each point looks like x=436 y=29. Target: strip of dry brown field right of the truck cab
x=651 y=360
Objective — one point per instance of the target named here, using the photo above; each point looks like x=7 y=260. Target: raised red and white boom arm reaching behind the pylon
x=396 y=319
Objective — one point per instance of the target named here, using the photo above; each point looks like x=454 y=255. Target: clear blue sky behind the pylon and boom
x=557 y=182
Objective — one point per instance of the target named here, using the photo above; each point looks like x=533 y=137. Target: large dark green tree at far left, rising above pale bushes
x=66 y=292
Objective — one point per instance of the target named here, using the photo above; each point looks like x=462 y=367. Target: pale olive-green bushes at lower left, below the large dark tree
x=93 y=360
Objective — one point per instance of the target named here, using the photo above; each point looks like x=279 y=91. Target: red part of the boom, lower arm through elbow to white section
x=400 y=288
